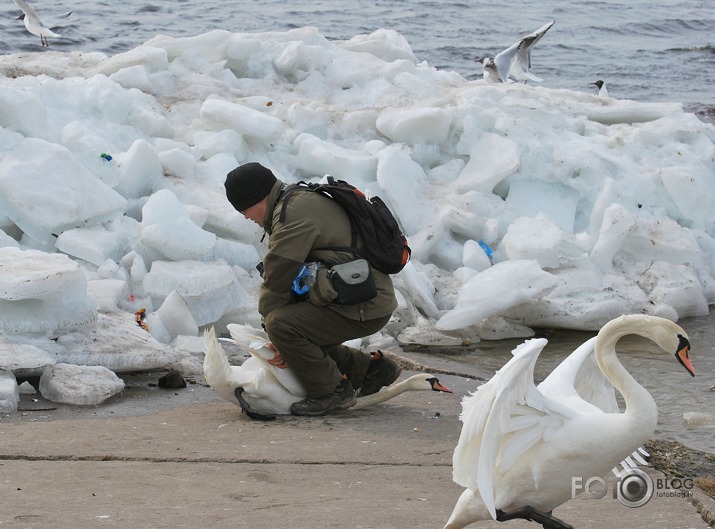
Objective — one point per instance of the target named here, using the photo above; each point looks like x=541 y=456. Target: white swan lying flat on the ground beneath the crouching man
x=264 y=391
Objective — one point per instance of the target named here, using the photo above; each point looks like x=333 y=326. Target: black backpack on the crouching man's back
x=385 y=247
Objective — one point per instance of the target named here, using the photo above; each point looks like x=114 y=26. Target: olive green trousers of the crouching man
x=310 y=340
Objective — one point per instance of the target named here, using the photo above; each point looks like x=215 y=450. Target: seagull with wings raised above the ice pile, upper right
x=515 y=61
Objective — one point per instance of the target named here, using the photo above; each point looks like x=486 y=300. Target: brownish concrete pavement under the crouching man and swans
x=184 y=458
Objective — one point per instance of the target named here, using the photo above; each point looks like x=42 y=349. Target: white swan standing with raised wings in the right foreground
x=521 y=445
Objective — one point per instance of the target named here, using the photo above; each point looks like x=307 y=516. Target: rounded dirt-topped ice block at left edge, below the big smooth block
x=41 y=292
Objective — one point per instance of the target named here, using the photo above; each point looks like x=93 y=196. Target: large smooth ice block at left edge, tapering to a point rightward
x=45 y=190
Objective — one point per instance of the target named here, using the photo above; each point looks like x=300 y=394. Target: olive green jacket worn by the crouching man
x=312 y=221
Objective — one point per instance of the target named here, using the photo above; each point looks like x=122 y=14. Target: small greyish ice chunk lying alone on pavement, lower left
x=82 y=385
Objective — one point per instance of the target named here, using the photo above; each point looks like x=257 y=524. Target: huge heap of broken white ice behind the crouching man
x=524 y=206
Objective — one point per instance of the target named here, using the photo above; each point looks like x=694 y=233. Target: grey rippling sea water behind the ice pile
x=643 y=49
